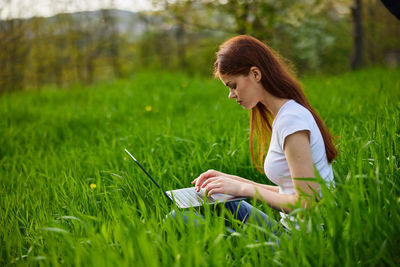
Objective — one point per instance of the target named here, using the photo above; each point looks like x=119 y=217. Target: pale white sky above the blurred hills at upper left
x=46 y=8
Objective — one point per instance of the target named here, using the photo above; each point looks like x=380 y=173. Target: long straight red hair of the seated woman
x=235 y=57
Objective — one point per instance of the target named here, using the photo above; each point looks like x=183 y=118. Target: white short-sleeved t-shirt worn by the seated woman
x=293 y=117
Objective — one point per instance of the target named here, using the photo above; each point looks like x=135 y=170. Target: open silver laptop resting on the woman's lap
x=189 y=197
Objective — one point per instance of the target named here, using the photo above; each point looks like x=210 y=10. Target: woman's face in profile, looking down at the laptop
x=246 y=89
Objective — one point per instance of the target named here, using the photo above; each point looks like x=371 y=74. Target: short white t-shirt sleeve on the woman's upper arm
x=291 y=123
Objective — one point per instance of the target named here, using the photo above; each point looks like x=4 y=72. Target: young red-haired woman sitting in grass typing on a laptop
x=281 y=119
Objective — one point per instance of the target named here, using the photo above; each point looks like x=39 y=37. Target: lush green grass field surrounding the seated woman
x=55 y=143
